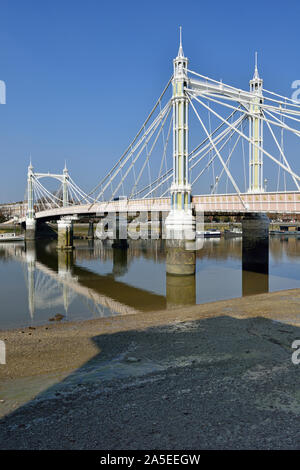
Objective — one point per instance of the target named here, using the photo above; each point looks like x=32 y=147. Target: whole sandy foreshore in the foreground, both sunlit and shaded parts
x=217 y=375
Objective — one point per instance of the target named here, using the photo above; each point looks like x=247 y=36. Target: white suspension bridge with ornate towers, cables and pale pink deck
x=202 y=136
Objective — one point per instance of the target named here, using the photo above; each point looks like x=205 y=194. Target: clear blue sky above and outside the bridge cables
x=82 y=75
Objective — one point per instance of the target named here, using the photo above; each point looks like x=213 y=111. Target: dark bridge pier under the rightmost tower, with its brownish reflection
x=255 y=253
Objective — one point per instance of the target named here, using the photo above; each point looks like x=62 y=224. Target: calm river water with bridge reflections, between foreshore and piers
x=97 y=280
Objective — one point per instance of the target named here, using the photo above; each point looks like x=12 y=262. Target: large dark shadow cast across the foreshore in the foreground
x=217 y=383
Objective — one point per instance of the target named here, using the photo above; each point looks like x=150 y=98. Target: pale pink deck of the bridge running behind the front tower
x=272 y=202
